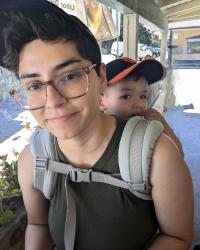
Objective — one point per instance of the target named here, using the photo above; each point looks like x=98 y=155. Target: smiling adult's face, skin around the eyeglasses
x=41 y=62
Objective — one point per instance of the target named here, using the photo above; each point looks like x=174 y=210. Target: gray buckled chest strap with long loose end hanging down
x=79 y=175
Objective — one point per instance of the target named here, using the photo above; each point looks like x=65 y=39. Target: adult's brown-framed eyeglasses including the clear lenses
x=71 y=86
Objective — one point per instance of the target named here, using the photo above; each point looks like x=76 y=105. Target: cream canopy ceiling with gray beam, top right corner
x=159 y=12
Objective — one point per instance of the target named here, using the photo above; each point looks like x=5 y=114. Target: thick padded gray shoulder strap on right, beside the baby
x=135 y=152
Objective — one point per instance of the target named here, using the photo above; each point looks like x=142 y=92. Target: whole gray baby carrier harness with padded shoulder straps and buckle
x=134 y=156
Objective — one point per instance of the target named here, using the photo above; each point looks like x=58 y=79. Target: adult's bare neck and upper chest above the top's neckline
x=86 y=149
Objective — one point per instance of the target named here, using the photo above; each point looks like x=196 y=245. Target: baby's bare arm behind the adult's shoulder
x=152 y=114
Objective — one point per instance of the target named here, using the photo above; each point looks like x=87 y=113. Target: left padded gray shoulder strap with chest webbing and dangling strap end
x=42 y=145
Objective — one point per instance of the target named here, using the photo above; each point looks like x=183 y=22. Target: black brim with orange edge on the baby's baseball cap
x=151 y=69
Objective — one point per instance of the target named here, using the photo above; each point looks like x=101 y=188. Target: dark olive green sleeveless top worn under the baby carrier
x=107 y=217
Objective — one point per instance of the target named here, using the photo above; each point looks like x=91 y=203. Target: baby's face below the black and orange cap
x=126 y=98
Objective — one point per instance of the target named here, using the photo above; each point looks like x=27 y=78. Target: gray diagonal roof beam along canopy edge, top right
x=147 y=9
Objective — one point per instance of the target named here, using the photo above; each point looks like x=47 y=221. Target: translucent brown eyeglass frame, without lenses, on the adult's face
x=52 y=83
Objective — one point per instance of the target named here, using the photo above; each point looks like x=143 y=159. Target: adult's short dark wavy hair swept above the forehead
x=51 y=26
